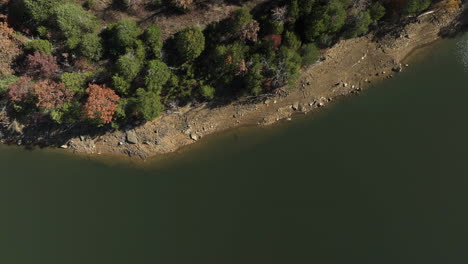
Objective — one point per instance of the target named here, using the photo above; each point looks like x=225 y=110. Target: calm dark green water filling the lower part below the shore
x=379 y=178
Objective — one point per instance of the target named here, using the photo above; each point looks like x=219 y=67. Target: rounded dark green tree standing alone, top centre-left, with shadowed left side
x=189 y=43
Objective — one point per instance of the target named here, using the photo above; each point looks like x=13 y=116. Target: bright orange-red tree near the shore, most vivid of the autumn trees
x=102 y=103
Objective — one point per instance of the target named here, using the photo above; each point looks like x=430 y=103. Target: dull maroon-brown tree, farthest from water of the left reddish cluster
x=40 y=65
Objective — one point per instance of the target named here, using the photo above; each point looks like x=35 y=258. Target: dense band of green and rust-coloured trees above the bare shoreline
x=67 y=66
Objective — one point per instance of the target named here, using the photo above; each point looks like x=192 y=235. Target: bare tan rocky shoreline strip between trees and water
x=347 y=68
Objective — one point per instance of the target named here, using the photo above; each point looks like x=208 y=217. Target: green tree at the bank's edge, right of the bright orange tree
x=148 y=104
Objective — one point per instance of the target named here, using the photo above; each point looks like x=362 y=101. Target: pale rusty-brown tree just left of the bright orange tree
x=51 y=95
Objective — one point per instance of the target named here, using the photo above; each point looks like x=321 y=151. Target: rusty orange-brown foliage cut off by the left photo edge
x=9 y=49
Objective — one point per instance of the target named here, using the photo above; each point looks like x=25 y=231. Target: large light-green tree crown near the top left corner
x=73 y=21
